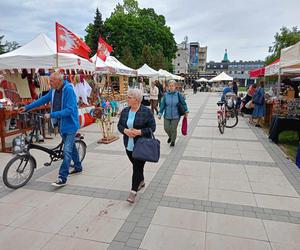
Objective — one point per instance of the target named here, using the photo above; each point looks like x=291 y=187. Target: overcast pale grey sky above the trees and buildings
x=245 y=28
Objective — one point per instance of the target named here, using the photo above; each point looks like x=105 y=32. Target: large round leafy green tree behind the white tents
x=144 y=32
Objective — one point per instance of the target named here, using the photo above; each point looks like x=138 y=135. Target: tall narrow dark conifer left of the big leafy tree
x=94 y=30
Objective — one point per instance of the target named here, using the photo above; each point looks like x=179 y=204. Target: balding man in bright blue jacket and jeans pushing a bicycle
x=64 y=115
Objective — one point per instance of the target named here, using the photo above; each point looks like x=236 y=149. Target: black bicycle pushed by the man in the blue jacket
x=19 y=170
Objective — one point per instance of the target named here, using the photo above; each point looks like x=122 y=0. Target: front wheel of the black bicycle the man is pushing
x=18 y=171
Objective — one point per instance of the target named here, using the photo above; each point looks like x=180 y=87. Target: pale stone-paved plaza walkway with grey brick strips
x=212 y=191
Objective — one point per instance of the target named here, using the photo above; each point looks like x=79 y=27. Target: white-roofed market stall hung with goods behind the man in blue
x=25 y=75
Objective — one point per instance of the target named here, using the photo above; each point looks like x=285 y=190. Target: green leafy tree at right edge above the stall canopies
x=285 y=38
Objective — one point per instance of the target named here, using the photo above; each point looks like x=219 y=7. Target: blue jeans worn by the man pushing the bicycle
x=70 y=153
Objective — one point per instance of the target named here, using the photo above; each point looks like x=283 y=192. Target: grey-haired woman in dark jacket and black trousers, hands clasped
x=136 y=120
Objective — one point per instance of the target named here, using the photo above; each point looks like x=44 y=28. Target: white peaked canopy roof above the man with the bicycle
x=40 y=53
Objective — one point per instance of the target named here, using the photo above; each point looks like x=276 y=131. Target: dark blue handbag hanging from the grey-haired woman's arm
x=147 y=149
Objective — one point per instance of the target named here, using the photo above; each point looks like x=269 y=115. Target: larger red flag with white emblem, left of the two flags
x=68 y=42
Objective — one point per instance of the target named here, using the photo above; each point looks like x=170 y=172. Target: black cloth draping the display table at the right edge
x=280 y=124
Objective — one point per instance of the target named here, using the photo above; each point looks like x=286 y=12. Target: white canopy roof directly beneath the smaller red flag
x=113 y=66
